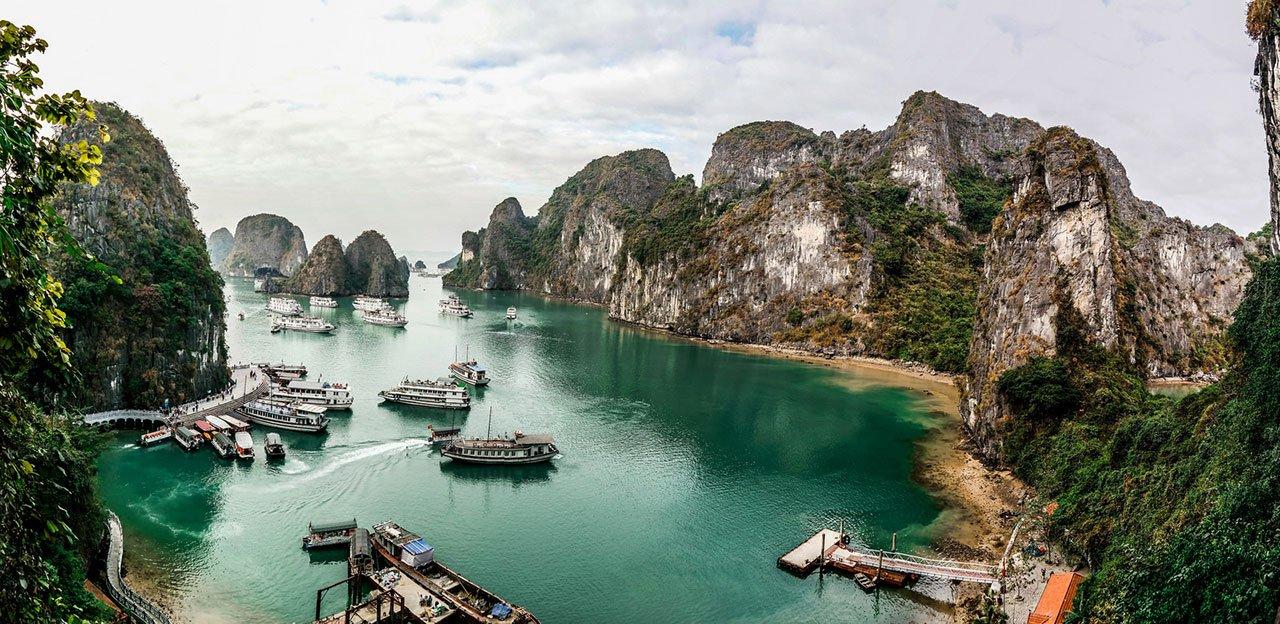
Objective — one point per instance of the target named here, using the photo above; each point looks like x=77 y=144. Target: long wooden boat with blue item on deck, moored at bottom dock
x=450 y=595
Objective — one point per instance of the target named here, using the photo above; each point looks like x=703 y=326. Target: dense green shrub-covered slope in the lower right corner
x=1176 y=503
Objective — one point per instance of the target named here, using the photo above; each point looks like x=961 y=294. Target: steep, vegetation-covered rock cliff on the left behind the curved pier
x=158 y=336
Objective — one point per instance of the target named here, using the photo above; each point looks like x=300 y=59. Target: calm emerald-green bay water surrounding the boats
x=687 y=471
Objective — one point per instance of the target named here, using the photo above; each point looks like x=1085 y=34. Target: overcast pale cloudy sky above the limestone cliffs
x=418 y=118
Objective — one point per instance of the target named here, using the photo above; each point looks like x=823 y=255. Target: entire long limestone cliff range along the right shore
x=875 y=244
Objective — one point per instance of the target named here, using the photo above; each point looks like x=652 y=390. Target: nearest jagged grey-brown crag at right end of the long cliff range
x=1158 y=290
